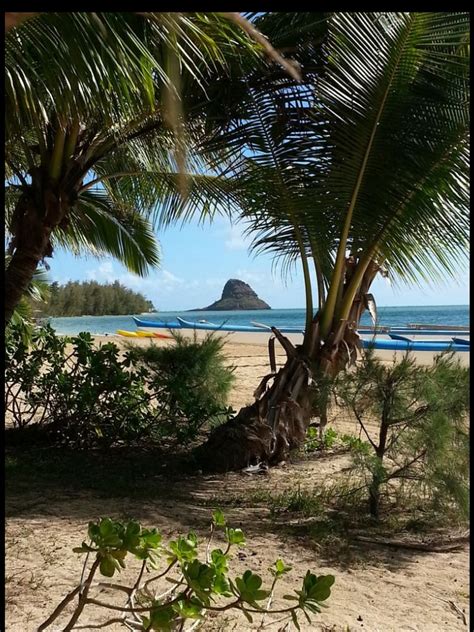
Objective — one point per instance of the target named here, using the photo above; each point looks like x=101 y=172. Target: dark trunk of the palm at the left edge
x=30 y=244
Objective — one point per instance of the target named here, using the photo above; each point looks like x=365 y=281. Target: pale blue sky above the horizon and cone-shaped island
x=197 y=261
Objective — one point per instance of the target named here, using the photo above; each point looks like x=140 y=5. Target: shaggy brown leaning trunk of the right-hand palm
x=277 y=421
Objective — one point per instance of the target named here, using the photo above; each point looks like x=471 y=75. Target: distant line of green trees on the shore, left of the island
x=94 y=299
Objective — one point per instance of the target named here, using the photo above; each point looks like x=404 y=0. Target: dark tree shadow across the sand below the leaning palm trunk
x=161 y=489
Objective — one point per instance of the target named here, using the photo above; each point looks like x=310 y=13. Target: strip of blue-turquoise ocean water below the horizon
x=387 y=316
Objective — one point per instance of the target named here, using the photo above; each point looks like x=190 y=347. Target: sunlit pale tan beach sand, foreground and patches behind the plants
x=377 y=589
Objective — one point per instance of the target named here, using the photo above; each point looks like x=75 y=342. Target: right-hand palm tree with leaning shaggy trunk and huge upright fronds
x=361 y=170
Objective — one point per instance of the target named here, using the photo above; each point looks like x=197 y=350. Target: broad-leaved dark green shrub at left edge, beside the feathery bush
x=84 y=397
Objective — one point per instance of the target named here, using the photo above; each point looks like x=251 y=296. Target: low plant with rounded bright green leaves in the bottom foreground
x=197 y=586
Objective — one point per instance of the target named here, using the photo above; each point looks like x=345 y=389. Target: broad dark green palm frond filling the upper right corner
x=394 y=98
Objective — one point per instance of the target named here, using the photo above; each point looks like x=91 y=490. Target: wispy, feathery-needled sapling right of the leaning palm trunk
x=421 y=438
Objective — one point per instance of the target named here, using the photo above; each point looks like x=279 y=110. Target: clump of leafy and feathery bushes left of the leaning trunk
x=92 y=396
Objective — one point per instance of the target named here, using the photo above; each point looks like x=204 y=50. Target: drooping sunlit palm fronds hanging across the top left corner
x=112 y=63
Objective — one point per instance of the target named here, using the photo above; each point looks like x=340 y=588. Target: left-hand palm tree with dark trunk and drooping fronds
x=94 y=128
